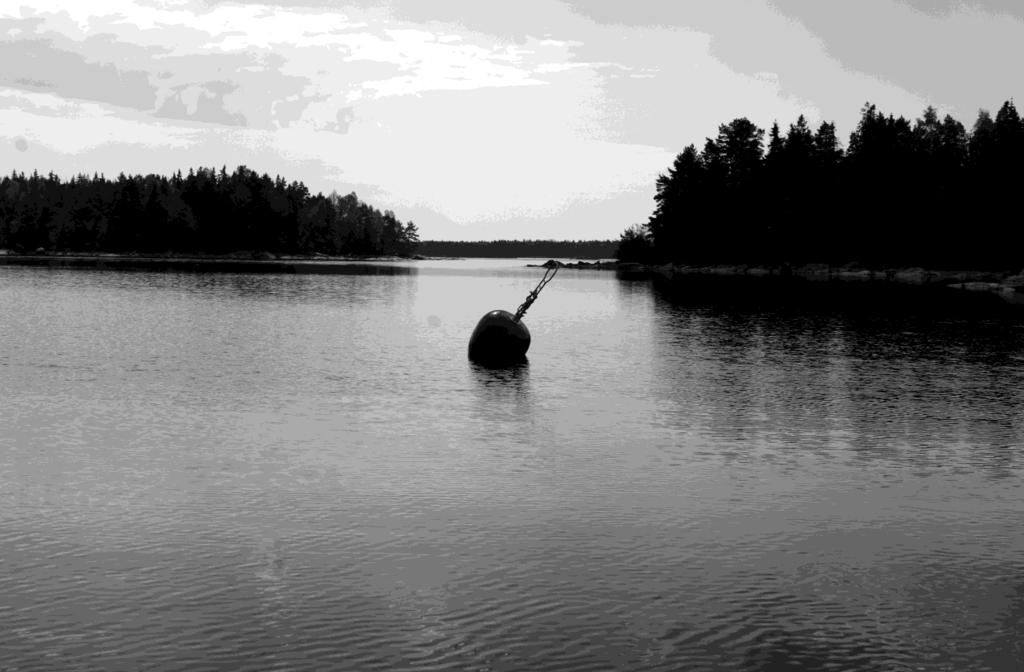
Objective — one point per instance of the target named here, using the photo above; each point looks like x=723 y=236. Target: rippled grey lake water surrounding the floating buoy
x=290 y=473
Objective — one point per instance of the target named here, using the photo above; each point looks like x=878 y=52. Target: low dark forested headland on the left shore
x=205 y=212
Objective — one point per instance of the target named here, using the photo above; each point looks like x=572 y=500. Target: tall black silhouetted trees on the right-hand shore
x=903 y=194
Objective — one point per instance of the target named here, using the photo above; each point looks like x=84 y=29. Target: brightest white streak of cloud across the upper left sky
x=426 y=61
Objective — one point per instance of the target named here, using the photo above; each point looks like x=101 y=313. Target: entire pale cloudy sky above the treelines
x=476 y=119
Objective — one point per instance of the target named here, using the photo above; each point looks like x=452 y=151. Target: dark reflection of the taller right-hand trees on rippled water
x=930 y=387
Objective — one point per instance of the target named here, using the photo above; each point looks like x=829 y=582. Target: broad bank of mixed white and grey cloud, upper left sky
x=271 y=56
